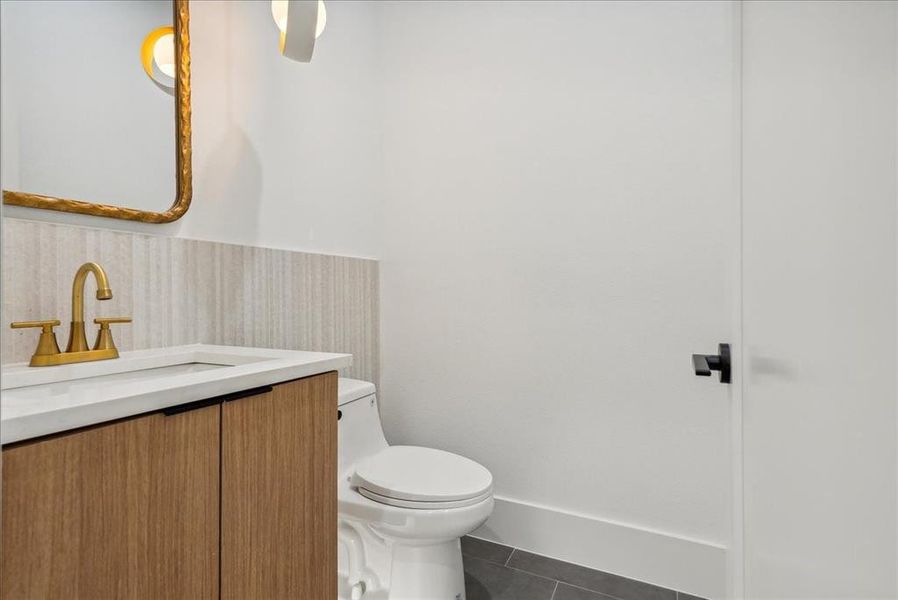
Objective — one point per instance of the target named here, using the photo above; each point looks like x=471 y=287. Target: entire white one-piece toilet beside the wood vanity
x=402 y=509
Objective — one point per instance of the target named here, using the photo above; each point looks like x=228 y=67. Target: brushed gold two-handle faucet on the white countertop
x=77 y=350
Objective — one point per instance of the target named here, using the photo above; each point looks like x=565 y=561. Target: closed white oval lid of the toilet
x=422 y=474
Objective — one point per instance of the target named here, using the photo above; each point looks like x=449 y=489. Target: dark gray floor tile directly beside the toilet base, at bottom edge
x=485 y=580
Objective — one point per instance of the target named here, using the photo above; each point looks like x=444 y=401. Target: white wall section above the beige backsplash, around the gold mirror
x=285 y=155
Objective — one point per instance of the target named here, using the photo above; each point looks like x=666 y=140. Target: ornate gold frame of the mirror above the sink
x=183 y=170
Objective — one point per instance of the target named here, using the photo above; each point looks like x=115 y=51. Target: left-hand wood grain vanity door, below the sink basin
x=127 y=510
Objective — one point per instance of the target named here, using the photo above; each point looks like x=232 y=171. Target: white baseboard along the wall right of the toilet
x=671 y=561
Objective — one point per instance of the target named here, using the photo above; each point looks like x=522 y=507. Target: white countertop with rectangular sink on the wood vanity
x=36 y=401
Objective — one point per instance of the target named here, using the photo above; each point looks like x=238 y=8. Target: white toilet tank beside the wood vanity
x=359 y=433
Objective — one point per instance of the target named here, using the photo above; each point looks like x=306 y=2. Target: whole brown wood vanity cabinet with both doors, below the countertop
x=234 y=499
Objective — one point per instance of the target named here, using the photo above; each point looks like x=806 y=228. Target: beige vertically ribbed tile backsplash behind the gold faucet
x=187 y=291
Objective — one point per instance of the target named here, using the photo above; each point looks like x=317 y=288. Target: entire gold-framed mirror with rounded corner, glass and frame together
x=90 y=135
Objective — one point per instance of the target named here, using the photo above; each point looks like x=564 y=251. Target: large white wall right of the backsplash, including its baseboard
x=559 y=190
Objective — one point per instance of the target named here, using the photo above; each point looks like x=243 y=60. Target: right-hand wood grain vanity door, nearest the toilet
x=279 y=493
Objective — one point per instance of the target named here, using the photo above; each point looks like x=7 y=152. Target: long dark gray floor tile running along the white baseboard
x=596 y=581
